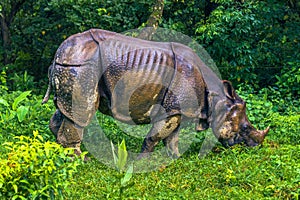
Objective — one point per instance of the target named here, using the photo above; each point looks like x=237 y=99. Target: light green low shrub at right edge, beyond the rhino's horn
x=270 y=107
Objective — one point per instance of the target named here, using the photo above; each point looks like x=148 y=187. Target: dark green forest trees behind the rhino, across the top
x=251 y=41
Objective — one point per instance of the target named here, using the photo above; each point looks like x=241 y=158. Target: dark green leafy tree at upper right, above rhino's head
x=247 y=39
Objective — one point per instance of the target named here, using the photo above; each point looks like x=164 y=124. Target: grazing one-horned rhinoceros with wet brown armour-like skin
x=142 y=82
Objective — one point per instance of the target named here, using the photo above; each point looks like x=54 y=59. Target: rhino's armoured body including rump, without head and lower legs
x=139 y=79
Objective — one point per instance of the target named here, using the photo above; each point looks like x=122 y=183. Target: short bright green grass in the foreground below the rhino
x=271 y=171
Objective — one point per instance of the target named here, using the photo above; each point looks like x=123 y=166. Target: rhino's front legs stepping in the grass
x=162 y=130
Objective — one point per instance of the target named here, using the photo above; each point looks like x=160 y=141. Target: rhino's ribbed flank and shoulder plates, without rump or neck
x=139 y=74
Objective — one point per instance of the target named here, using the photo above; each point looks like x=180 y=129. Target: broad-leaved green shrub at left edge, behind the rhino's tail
x=21 y=113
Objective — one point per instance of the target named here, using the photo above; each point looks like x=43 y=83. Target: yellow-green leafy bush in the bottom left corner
x=35 y=169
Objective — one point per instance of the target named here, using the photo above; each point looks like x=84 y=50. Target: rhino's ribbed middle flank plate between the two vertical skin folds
x=135 y=78
